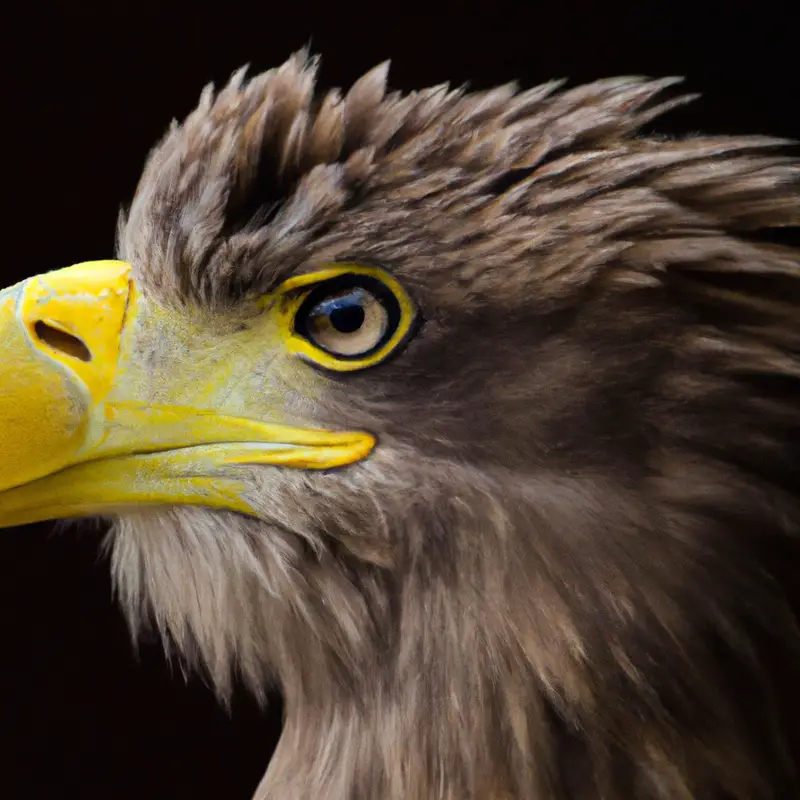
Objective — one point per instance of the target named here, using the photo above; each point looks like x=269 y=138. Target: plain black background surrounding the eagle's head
x=87 y=89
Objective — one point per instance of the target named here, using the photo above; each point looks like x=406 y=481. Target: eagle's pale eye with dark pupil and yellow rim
x=347 y=317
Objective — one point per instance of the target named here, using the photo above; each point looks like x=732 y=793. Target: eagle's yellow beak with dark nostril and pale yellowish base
x=107 y=401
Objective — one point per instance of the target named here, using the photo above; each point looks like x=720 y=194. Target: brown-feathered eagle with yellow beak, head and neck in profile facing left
x=466 y=419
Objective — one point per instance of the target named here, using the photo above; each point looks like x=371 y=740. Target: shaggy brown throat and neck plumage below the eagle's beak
x=523 y=628
